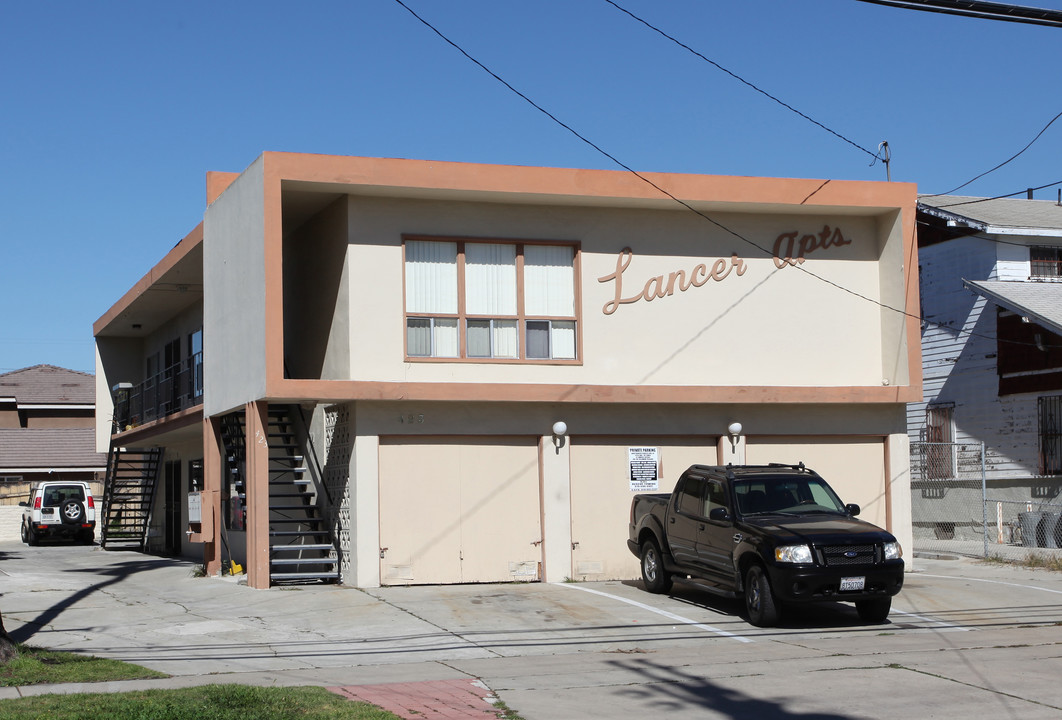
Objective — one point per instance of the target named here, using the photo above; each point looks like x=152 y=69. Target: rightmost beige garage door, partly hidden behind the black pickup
x=854 y=468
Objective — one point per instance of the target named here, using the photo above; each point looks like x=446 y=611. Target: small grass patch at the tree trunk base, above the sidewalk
x=36 y=666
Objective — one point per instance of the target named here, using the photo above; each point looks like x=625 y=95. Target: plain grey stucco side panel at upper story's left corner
x=234 y=313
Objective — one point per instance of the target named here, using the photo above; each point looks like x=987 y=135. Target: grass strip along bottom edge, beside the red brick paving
x=216 y=702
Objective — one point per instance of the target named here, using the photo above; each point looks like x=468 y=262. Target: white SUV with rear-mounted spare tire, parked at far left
x=59 y=509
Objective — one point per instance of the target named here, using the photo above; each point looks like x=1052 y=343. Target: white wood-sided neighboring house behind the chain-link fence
x=991 y=287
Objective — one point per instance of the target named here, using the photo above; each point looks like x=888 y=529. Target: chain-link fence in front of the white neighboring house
x=954 y=510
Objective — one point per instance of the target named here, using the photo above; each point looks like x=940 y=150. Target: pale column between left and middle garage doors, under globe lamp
x=556 y=469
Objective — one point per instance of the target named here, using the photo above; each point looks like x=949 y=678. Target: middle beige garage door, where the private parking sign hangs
x=602 y=498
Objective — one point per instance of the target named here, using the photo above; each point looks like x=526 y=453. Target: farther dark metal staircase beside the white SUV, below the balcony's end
x=129 y=492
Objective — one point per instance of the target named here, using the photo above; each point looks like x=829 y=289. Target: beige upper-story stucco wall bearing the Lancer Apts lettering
x=790 y=327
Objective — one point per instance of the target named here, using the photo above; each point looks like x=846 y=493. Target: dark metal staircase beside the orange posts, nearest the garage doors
x=301 y=546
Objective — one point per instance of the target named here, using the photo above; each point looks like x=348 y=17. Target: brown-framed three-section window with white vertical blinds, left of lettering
x=491 y=300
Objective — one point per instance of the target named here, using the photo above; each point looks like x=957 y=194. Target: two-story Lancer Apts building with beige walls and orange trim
x=419 y=372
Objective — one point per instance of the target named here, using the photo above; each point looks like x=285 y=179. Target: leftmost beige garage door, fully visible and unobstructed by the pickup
x=459 y=510
